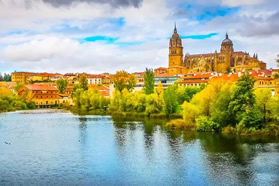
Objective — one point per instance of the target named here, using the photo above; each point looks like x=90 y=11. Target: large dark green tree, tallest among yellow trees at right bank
x=242 y=105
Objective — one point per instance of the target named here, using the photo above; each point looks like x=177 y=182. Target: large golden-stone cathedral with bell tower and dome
x=227 y=60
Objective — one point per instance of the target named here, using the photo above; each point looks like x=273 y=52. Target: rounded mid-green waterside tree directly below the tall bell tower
x=170 y=99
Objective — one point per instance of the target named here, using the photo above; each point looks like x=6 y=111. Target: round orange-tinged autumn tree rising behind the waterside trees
x=123 y=79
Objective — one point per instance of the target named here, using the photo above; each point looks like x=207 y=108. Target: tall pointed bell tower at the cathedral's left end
x=175 y=54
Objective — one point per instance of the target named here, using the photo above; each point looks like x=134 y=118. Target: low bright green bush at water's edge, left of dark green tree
x=205 y=124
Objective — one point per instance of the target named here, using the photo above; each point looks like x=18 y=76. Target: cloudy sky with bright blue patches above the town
x=97 y=36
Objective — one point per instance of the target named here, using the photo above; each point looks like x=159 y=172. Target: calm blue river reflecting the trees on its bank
x=50 y=148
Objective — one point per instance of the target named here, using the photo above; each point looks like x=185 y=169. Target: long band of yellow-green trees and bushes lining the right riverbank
x=222 y=106
